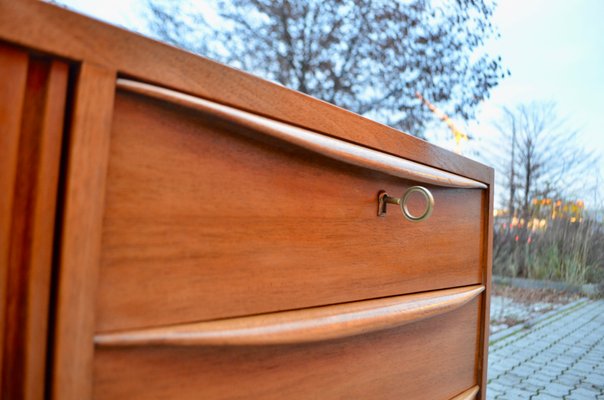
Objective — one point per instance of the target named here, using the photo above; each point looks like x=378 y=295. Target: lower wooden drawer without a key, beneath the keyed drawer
x=433 y=358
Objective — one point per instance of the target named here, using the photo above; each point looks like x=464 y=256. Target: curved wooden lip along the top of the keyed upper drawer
x=330 y=147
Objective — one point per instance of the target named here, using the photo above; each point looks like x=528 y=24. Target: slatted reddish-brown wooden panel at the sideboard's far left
x=32 y=108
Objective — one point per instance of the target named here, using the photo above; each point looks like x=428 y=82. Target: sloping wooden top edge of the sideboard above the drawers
x=51 y=29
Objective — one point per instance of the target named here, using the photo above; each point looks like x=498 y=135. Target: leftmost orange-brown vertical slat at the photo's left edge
x=13 y=75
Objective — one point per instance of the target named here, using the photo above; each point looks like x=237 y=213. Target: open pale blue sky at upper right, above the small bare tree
x=554 y=50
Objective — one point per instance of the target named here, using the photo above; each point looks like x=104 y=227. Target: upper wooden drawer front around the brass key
x=208 y=218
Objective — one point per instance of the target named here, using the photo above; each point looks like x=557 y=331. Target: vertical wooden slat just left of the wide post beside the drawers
x=41 y=216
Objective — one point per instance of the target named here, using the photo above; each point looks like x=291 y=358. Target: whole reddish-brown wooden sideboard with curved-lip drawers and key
x=171 y=228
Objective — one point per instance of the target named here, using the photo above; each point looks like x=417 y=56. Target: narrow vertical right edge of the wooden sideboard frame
x=486 y=281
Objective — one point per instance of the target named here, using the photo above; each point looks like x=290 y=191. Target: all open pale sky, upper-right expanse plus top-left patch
x=554 y=50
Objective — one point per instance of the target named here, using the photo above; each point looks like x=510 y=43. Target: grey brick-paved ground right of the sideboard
x=545 y=345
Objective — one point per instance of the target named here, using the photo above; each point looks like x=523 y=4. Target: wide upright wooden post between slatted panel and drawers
x=81 y=233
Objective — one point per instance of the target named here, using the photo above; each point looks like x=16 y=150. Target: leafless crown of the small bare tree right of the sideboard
x=542 y=157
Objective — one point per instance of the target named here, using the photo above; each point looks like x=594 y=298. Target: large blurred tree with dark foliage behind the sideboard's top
x=368 y=56
